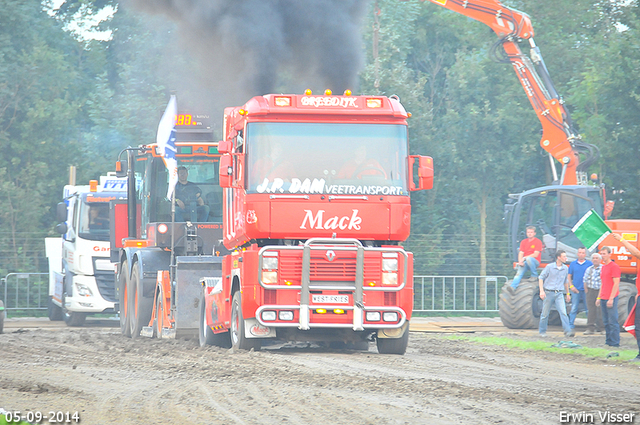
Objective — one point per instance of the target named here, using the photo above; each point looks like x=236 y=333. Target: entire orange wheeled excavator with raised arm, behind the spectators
x=556 y=208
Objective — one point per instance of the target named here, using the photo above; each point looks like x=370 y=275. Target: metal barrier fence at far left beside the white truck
x=25 y=292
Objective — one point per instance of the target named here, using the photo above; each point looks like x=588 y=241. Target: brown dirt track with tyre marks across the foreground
x=108 y=378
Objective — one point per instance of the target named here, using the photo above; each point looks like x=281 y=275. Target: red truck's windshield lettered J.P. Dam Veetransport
x=344 y=159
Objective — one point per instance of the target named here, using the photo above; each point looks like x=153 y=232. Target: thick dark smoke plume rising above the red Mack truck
x=246 y=46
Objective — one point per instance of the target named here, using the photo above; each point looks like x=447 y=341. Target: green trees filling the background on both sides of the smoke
x=67 y=101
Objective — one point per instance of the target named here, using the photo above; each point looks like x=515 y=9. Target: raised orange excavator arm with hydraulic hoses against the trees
x=559 y=138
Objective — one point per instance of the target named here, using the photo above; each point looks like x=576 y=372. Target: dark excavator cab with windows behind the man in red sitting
x=553 y=210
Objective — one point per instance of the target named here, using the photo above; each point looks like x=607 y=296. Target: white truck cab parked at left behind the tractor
x=81 y=275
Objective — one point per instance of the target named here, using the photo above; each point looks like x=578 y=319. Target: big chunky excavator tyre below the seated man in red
x=521 y=309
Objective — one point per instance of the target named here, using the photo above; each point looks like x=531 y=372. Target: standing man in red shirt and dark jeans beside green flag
x=608 y=297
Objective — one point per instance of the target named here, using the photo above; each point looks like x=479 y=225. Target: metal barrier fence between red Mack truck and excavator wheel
x=457 y=293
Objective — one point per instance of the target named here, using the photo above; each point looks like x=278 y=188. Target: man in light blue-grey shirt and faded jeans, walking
x=553 y=285
